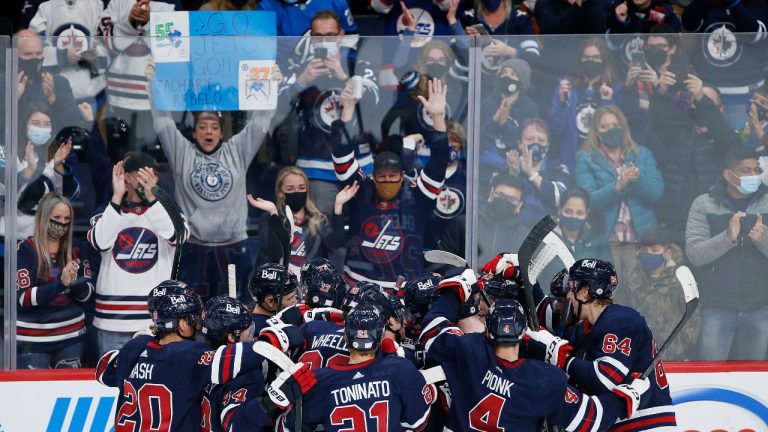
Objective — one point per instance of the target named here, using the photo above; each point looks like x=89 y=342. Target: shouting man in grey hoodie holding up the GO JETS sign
x=209 y=176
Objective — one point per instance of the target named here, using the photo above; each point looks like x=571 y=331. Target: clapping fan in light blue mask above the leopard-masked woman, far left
x=44 y=166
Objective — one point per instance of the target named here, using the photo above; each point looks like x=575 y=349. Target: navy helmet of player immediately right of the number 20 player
x=225 y=315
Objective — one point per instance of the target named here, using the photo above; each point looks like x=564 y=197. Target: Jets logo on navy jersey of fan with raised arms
x=382 y=239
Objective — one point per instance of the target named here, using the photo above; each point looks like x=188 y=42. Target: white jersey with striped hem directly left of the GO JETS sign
x=126 y=84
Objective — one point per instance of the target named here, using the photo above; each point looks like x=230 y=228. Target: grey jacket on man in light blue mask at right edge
x=731 y=274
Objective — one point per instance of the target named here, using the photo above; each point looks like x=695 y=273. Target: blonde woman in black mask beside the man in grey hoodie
x=309 y=241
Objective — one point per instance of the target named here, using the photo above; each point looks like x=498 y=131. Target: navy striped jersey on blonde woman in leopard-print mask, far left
x=49 y=314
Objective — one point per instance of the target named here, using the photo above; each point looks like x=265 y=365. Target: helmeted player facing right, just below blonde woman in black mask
x=269 y=293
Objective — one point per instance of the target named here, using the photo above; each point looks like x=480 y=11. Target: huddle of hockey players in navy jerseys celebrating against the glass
x=378 y=359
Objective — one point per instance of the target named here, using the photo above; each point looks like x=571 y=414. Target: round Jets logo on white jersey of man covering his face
x=135 y=250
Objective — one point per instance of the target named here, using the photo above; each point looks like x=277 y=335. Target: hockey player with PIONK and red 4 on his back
x=494 y=389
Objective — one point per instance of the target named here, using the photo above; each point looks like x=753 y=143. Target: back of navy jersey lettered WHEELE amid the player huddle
x=324 y=344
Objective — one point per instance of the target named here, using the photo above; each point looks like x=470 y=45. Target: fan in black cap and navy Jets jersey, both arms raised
x=387 y=215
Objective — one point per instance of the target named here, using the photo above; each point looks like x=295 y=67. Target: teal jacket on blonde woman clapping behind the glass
x=595 y=174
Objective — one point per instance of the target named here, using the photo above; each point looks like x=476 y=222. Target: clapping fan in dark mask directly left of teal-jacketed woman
x=544 y=180
